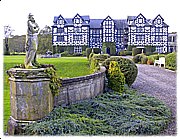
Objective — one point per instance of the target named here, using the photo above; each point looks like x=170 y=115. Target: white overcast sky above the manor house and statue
x=15 y=12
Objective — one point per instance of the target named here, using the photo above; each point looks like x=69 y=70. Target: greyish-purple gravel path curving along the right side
x=160 y=83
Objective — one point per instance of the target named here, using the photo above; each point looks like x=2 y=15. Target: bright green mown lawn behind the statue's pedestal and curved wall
x=66 y=67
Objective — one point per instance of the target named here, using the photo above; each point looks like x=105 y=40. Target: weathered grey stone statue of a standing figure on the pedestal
x=31 y=42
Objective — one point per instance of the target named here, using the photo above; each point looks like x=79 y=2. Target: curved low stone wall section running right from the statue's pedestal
x=80 y=88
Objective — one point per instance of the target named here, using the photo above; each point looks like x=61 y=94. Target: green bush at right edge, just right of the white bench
x=171 y=61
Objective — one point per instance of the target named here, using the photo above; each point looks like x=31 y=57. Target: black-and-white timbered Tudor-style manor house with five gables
x=81 y=31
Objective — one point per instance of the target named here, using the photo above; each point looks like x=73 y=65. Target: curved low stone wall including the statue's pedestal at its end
x=31 y=98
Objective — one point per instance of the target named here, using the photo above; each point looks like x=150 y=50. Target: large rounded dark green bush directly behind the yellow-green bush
x=127 y=67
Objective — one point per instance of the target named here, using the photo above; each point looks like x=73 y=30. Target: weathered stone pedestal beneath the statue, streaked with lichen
x=31 y=97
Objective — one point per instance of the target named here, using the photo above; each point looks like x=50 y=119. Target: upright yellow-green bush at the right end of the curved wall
x=116 y=79
